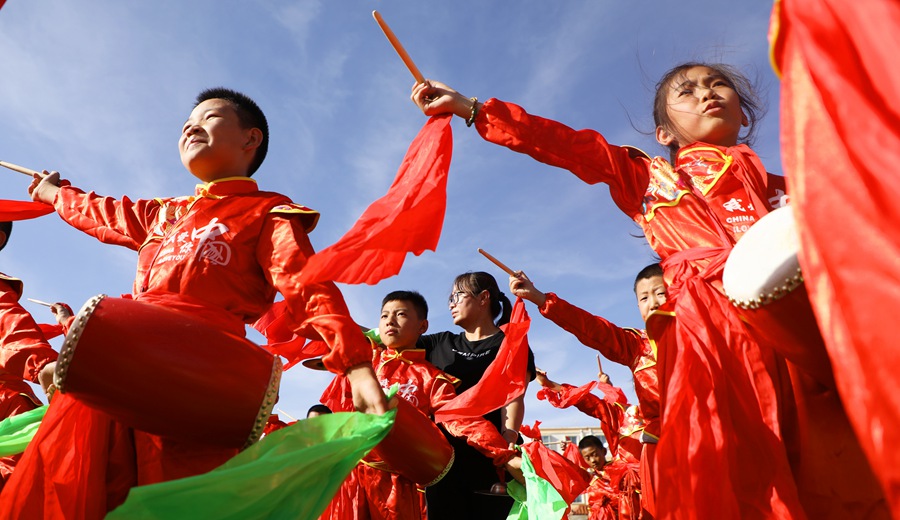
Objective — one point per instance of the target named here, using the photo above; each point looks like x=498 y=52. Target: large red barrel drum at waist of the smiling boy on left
x=163 y=372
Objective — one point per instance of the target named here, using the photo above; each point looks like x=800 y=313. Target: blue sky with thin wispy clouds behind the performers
x=99 y=91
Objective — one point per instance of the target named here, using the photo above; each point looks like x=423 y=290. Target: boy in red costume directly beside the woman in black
x=387 y=495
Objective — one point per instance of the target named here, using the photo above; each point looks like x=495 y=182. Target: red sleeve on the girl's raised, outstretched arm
x=583 y=152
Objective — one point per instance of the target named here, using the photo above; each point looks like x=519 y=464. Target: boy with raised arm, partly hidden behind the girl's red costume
x=626 y=346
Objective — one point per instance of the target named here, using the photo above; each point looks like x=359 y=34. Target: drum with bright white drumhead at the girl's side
x=762 y=278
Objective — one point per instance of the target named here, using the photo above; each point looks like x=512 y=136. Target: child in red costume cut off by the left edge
x=23 y=354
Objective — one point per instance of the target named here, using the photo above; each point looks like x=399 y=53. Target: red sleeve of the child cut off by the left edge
x=23 y=349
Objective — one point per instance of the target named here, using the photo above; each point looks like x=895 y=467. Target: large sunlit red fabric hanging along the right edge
x=840 y=144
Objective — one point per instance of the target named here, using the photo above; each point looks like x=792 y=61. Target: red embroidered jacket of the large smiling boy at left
x=222 y=254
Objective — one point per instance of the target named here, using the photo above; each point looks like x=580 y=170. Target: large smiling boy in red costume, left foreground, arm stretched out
x=220 y=255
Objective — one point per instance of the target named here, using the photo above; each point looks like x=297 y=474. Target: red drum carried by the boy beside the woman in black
x=415 y=448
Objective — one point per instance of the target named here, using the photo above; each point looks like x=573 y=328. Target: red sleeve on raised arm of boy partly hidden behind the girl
x=623 y=346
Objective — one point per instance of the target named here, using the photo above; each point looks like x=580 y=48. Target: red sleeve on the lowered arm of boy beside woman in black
x=477 y=431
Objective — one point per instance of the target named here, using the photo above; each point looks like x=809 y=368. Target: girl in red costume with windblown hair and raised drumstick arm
x=722 y=393
